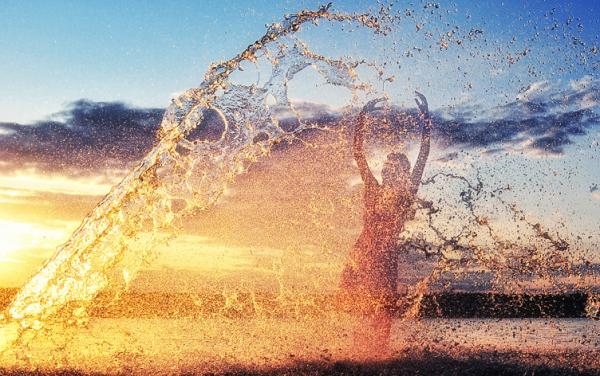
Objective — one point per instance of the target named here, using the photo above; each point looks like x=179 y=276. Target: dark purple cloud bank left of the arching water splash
x=91 y=136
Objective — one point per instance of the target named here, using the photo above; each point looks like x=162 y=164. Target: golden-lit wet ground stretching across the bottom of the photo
x=313 y=347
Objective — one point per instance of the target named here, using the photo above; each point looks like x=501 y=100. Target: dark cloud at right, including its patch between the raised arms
x=542 y=118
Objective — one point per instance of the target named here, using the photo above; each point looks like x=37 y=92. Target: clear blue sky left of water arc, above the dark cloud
x=140 y=52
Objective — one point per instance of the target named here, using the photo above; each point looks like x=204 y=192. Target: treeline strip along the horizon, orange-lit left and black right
x=438 y=305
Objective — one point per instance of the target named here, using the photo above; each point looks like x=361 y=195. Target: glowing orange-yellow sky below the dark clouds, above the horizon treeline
x=287 y=223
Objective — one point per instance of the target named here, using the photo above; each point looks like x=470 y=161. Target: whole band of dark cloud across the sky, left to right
x=93 y=136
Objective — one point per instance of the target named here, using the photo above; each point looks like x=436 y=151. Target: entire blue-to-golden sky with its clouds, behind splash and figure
x=84 y=84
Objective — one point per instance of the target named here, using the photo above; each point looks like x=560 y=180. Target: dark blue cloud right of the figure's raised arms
x=542 y=118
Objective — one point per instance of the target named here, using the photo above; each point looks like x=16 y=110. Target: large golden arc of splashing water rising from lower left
x=179 y=172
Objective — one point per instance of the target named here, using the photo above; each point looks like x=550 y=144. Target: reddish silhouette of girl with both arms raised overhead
x=371 y=273
